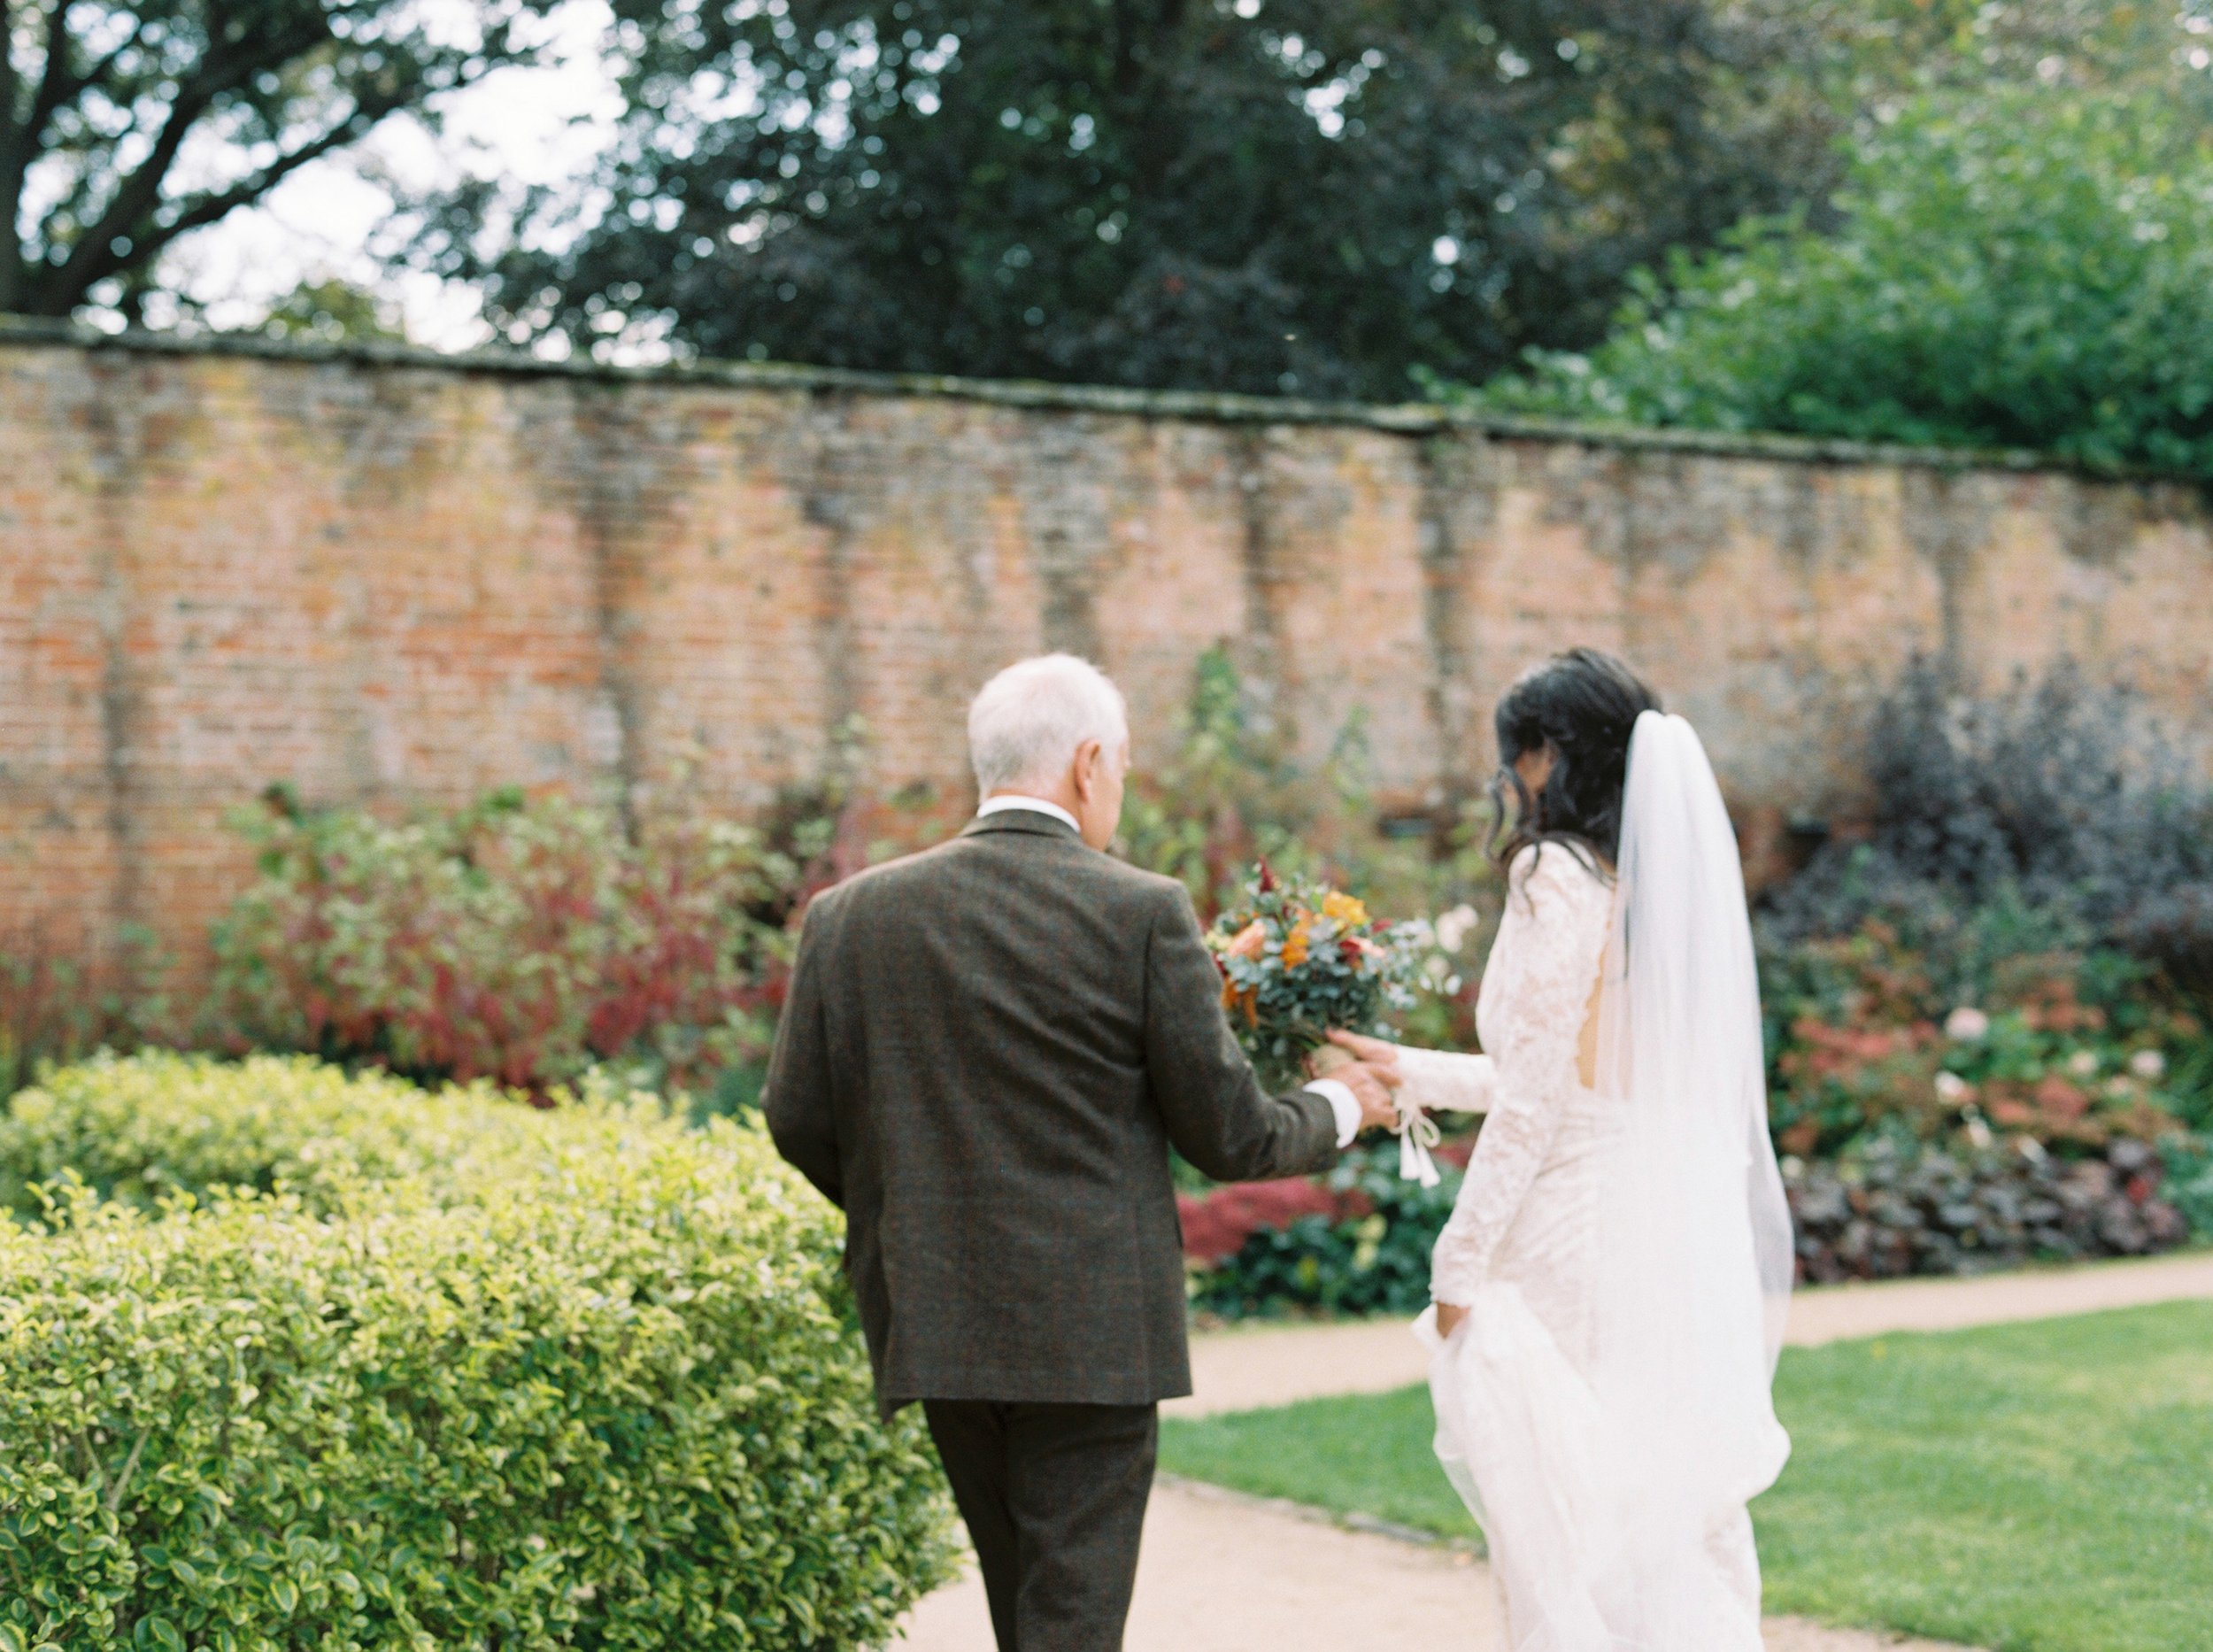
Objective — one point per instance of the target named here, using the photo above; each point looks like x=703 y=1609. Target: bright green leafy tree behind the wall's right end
x=2015 y=269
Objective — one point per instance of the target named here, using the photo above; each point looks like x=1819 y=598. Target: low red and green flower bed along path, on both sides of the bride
x=2059 y=1117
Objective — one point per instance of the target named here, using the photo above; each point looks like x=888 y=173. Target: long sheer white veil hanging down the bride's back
x=1696 y=1255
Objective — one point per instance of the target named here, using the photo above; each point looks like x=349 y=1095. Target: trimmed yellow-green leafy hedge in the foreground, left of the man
x=433 y=1372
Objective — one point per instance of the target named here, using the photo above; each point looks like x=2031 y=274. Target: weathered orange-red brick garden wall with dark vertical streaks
x=406 y=579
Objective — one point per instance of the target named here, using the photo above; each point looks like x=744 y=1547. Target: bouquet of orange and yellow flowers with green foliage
x=1302 y=960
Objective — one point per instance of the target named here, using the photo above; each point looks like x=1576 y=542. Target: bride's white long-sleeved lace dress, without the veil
x=1597 y=1545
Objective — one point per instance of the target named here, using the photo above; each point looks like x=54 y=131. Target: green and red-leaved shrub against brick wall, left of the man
x=519 y=940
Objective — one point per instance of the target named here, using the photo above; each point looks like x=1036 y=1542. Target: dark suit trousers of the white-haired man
x=1054 y=1503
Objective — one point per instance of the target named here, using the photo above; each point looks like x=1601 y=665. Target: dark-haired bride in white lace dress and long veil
x=1612 y=1283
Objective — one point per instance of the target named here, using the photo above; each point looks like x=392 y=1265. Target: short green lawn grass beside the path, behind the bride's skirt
x=2028 y=1489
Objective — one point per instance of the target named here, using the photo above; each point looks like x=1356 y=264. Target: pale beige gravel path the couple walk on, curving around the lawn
x=1227 y=1573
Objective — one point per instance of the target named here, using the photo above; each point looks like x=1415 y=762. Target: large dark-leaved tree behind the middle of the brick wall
x=1223 y=194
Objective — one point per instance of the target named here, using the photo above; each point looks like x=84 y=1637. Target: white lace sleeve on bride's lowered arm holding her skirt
x=1548 y=953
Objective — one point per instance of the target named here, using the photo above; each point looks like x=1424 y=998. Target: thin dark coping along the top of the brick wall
x=1203 y=406
